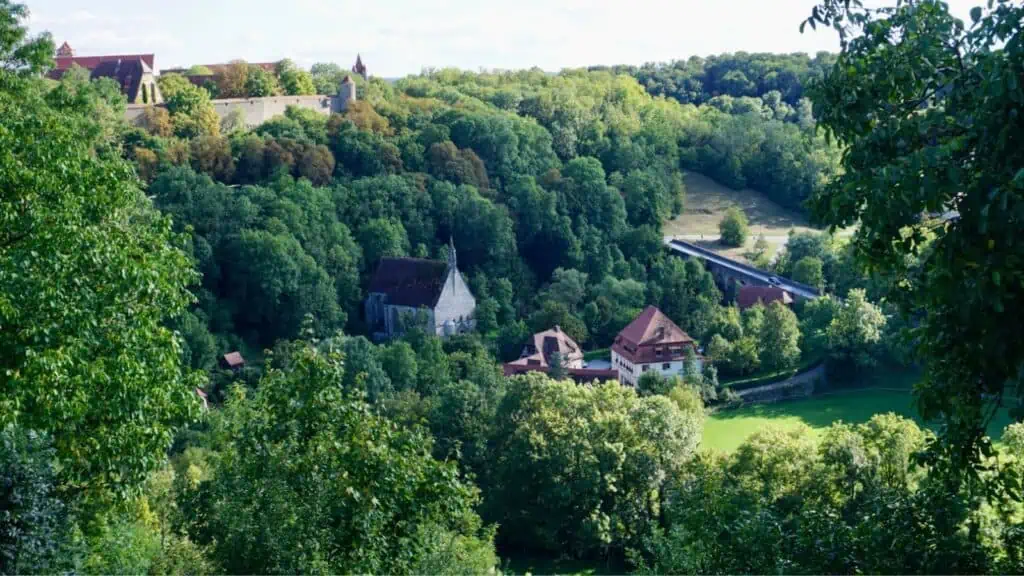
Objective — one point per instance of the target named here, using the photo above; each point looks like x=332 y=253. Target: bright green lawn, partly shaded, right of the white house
x=728 y=430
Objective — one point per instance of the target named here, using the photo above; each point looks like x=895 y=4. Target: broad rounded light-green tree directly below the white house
x=556 y=446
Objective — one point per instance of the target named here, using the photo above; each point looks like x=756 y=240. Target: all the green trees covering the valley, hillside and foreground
x=135 y=256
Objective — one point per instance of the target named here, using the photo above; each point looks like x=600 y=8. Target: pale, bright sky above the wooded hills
x=400 y=37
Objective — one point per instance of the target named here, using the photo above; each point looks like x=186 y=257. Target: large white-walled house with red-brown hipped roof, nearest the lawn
x=652 y=343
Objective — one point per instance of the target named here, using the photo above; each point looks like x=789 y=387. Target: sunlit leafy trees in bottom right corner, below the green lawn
x=856 y=503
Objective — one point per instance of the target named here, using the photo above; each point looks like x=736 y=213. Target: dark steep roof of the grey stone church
x=410 y=282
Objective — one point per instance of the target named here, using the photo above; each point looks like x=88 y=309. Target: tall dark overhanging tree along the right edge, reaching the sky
x=926 y=106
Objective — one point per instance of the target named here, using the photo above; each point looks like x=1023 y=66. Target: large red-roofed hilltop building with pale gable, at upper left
x=134 y=73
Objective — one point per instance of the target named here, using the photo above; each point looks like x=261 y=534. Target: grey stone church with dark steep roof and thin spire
x=430 y=294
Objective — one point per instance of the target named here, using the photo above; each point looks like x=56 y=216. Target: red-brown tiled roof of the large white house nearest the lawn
x=653 y=338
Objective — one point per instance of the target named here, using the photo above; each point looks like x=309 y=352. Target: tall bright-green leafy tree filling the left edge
x=90 y=276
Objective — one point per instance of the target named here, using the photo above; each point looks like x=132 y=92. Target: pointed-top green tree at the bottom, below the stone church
x=320 y=450
